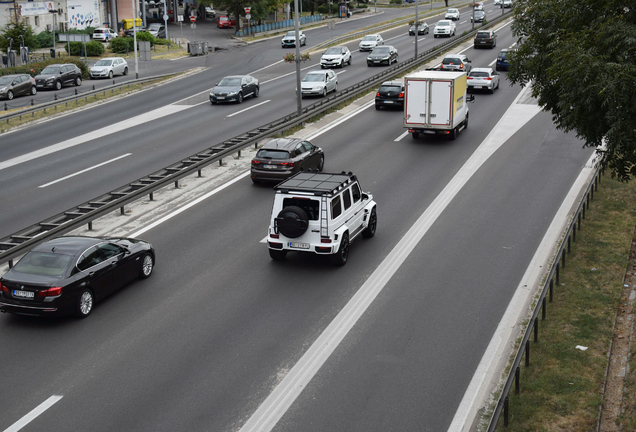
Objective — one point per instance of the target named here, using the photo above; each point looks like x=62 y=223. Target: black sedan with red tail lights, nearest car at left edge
x=68 y=275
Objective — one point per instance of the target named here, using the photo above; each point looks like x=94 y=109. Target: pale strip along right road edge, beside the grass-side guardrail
x=498 y=348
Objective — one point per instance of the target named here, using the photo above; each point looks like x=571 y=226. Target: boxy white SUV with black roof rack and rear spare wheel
x=320 y=213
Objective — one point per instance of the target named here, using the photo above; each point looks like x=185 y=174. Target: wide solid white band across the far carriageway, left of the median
x=96 y=134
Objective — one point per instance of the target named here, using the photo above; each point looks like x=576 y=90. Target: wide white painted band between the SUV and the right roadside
x=297 y=379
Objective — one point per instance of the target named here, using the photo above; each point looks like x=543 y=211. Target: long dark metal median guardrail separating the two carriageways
x=21 y=242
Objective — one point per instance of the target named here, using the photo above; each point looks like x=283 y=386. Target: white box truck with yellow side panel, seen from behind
x=435 y=102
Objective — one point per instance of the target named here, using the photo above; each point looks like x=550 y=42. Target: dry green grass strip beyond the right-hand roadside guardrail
x=562 y=389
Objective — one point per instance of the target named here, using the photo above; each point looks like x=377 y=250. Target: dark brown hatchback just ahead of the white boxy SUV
x=283 y=157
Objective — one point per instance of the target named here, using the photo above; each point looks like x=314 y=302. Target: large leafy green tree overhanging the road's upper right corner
x=580 y=57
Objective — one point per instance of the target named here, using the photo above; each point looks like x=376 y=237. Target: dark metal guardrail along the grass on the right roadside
x=548 y=288
